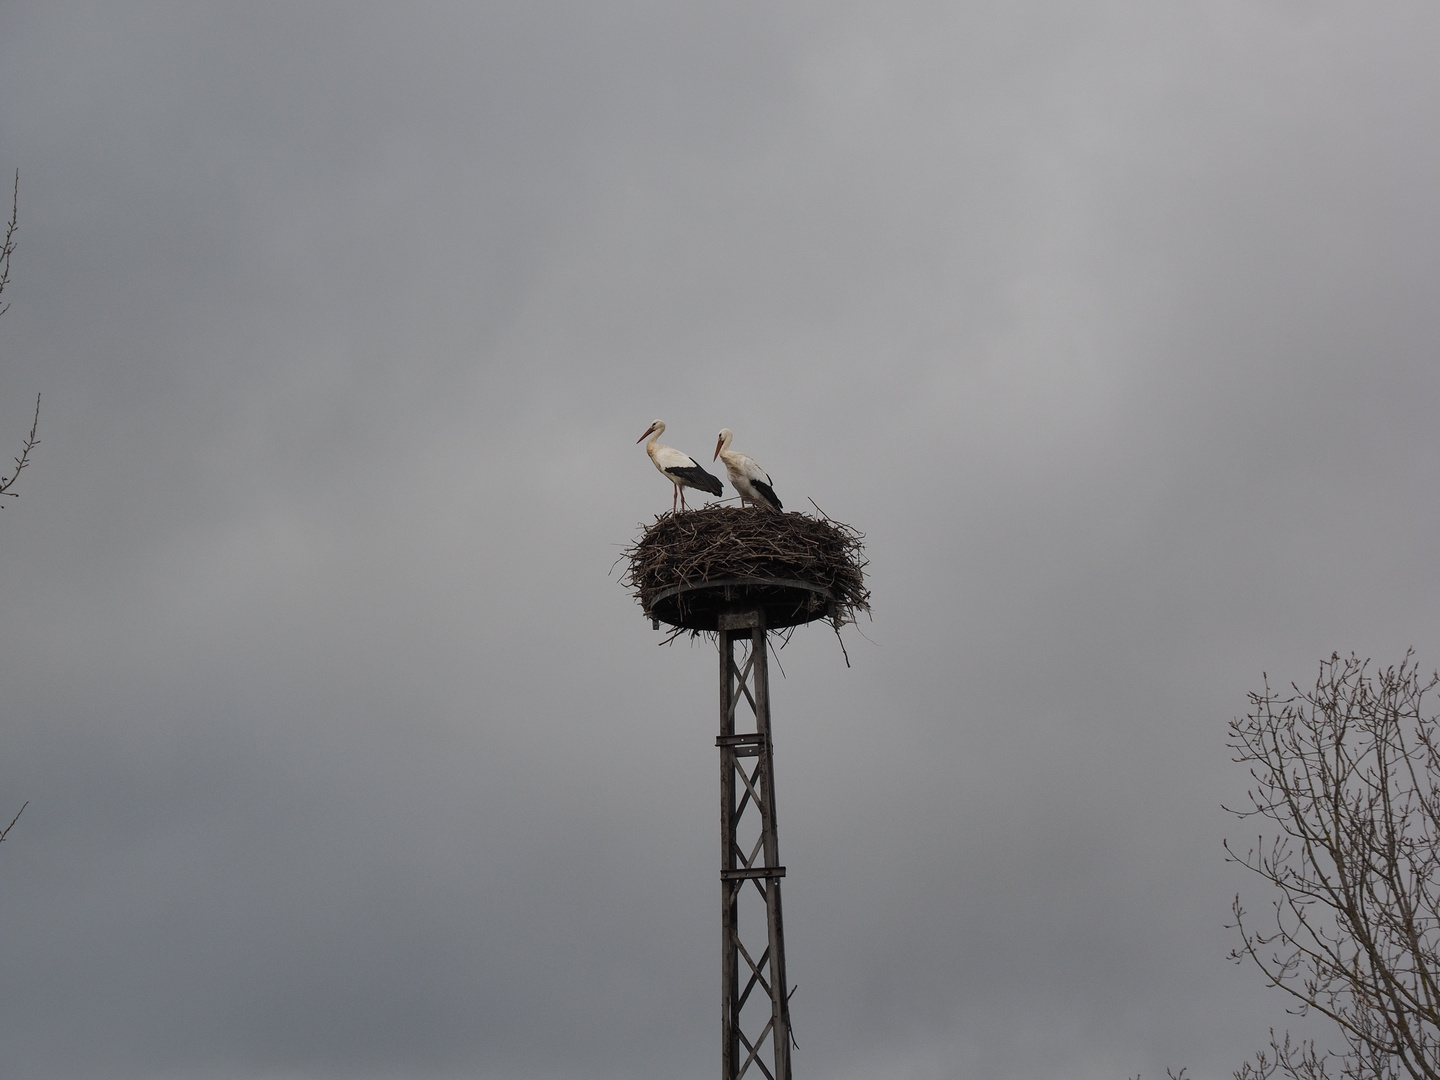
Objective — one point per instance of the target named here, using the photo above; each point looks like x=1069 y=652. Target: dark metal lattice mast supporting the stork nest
x=754 y=989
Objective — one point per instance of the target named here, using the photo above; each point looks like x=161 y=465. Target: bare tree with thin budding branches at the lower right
x=1347 y=784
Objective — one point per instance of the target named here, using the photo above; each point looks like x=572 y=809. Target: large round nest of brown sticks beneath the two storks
x=686 y=570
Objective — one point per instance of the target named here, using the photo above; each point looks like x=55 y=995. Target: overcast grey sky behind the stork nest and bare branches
x=1112 y=325
